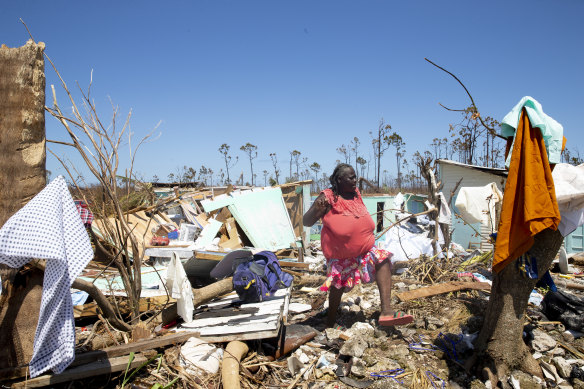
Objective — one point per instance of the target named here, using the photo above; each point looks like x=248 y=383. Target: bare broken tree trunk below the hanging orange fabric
x=500 y=346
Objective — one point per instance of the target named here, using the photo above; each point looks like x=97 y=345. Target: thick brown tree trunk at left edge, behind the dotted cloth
x=22 y=176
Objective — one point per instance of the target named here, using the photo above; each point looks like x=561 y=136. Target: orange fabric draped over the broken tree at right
x=529 y=202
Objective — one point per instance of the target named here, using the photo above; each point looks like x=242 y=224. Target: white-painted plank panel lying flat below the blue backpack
x=226 y=320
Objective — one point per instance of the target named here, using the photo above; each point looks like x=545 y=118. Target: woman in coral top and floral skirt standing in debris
x=348 y=245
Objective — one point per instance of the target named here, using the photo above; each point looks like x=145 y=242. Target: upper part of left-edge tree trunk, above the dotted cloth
x=22 y=126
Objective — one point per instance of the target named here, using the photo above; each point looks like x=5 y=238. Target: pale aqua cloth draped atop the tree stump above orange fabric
x=551 y=131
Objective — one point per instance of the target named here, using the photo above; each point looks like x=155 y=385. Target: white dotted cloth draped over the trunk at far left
x=49 y=227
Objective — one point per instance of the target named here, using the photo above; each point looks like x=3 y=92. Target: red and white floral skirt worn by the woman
x=346 y=273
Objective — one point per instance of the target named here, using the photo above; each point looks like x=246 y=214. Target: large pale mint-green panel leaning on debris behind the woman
x=261 y=214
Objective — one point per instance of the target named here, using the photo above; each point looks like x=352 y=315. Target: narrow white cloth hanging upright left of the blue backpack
x=180 y=288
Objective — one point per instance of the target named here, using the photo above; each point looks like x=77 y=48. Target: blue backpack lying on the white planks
x=259 y=277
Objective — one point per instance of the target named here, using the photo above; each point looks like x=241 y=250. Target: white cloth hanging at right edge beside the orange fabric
x=569 y=184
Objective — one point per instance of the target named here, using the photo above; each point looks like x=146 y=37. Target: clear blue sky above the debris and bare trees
x=305 y=75
